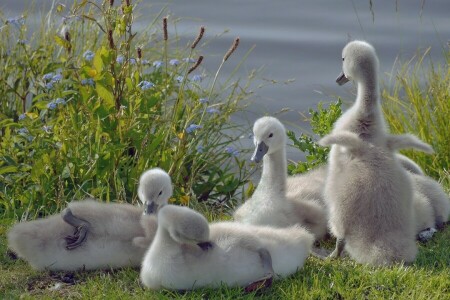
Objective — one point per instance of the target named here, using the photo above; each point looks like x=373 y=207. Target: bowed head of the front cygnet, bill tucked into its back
x=185 y=226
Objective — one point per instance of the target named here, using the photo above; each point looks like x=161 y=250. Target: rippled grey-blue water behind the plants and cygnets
x=301 y=40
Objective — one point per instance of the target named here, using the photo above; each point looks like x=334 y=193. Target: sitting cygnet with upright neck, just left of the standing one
x=269 y=204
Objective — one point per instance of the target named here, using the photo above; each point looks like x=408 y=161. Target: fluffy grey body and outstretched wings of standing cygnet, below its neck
x=369 y=197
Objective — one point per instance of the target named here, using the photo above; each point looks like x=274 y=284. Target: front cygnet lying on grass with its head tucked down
x=188 y=253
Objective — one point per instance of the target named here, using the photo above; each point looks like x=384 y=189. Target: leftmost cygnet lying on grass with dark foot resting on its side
x=93 y=235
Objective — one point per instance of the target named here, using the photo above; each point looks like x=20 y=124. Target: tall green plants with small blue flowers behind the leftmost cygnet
x=88 y=104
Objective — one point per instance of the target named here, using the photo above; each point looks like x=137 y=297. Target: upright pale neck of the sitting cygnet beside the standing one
x=274 y=175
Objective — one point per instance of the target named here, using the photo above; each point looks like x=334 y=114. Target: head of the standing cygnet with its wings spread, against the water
x=359 y=62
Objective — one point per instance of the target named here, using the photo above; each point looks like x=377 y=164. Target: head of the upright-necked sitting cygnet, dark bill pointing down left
x=269 y=137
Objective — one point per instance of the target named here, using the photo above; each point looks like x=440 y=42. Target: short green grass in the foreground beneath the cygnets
x=427 y=278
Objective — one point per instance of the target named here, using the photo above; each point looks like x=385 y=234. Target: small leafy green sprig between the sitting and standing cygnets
x=321 y=122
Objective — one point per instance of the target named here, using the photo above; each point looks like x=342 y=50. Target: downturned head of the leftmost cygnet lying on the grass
x=155 y=189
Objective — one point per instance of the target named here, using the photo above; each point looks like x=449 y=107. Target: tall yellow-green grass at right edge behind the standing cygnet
x=419 y=103
